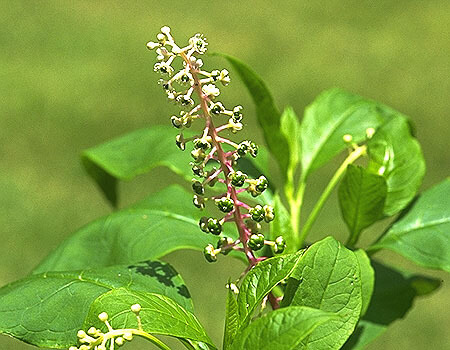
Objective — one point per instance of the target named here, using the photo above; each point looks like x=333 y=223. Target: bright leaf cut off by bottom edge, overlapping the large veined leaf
x=282 y=329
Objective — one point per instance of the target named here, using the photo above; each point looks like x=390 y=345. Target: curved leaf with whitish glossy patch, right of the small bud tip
x=396 y=155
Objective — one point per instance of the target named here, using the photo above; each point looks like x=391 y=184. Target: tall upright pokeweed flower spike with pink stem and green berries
x=214 y=156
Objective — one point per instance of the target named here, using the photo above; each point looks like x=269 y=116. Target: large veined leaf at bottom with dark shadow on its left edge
x=327 y=277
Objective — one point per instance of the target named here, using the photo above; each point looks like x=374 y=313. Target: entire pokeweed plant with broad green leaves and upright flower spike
x=104 y=284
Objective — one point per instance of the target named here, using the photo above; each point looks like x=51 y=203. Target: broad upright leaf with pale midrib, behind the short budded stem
x=333 y=114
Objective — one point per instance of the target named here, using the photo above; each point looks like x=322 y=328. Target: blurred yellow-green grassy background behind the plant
x=76 y=73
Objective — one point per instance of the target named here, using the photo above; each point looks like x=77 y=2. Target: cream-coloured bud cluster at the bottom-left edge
x=95 y=339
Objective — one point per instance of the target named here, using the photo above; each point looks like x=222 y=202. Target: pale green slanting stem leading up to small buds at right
x=357 y=152
